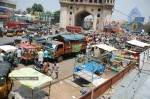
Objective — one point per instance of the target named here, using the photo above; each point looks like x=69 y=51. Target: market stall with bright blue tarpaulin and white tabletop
x=89 y=70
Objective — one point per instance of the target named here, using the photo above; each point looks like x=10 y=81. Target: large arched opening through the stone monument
x=84 y=19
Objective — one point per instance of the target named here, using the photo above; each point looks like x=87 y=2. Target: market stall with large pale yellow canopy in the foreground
x=32 y=79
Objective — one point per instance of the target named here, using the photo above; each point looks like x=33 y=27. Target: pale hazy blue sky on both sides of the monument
x=124 y=6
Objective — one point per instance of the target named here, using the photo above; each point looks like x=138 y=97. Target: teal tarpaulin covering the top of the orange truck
x=72 y=37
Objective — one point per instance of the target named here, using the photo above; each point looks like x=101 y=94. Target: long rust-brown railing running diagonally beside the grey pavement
x=101 y=89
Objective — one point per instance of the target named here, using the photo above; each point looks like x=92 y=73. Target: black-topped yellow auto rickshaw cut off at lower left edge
x=5 y=81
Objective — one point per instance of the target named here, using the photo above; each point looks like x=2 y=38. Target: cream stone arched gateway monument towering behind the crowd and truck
x=73 y=12
